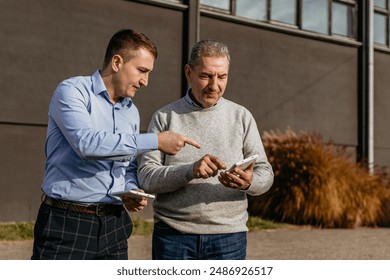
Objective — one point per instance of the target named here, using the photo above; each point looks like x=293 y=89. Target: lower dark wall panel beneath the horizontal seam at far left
x=22 y=155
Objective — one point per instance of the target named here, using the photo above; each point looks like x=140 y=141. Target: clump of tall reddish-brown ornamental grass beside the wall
x=317 y=183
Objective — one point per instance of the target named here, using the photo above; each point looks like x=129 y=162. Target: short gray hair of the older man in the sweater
x=209 y=48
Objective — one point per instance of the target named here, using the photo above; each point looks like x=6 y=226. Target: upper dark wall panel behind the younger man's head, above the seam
x=44 y=42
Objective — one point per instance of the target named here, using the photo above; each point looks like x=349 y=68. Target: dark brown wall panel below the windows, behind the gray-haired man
x=289 y=81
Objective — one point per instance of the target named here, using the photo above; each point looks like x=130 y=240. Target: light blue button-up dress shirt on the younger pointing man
x=92 y=144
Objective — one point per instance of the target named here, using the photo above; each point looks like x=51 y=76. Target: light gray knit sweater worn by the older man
x=203 y=206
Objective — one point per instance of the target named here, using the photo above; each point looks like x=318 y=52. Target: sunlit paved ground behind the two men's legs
x=282 y=244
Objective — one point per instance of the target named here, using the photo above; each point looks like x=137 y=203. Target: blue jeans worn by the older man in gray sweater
x=170 y=244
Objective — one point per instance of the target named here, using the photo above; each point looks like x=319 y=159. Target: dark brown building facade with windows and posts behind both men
x=308 y=65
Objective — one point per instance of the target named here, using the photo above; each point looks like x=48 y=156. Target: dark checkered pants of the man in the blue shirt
x=65 y=235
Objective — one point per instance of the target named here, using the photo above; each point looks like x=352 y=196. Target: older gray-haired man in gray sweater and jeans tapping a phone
x=200 y=210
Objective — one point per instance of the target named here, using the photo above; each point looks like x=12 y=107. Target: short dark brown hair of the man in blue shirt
x=124 y=42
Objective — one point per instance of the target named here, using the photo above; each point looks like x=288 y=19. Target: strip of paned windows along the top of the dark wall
x=330 y=17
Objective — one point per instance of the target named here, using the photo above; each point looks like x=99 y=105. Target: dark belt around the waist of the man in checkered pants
x=100 y=209
